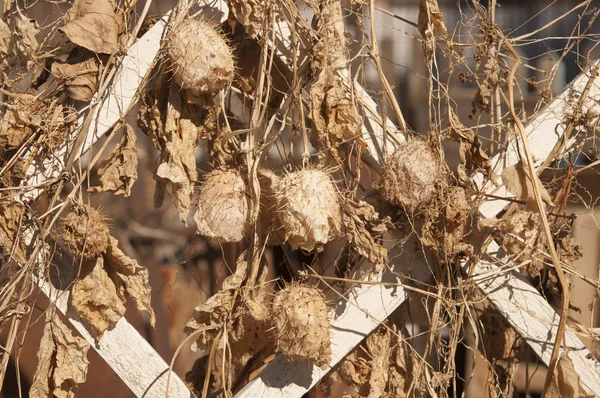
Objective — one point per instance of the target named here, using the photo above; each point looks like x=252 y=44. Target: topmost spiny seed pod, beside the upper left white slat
x=201 y=59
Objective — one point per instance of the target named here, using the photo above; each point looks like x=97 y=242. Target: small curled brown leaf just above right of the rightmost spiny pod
x=472 y=156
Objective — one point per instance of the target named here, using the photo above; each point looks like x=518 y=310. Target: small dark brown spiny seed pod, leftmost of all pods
x=85 y=233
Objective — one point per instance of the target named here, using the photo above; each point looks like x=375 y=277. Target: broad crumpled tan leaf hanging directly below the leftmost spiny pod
x=96 y=299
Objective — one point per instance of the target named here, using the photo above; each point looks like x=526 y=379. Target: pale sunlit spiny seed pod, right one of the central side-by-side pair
x=308 y=208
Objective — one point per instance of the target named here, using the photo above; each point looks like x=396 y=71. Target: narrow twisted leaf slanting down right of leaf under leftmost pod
x=132 y=278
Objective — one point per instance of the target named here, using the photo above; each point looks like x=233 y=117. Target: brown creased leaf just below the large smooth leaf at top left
x=80 y=77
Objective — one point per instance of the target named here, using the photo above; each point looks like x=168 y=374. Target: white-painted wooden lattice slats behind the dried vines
x=142 y=369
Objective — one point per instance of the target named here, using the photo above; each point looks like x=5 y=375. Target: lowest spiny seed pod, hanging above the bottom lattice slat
x=302 y=323
